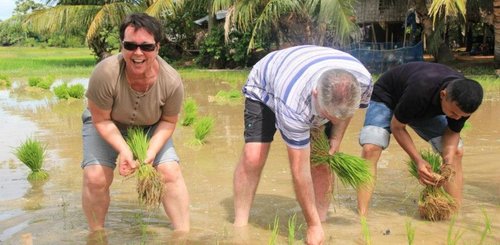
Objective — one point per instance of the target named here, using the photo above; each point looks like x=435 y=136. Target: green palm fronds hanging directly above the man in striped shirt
x=291 y=22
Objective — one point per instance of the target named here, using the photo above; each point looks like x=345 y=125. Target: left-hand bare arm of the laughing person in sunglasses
x=109 y=132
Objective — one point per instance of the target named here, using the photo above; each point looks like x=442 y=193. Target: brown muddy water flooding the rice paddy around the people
x=51 y=213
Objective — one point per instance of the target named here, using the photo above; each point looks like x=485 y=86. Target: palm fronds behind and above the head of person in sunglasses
x=98 y=17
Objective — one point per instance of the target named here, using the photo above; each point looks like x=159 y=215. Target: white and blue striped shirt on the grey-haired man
x=284 y=79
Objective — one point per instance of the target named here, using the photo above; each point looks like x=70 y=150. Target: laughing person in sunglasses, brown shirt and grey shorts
x=133 y=88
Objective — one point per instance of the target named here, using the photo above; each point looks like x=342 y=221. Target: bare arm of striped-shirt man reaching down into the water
x=302 y=181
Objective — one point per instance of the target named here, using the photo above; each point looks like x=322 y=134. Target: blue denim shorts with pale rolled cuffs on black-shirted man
x=377 y=127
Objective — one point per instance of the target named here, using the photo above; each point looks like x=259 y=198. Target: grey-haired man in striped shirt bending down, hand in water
x=294 y=90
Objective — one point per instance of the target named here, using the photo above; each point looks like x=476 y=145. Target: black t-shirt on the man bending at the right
x=412 y=91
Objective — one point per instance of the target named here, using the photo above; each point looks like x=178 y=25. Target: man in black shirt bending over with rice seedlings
x=432 y=99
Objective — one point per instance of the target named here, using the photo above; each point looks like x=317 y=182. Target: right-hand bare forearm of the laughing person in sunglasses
x=163 y=132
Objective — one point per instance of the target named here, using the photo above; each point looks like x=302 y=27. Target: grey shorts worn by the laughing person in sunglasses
x=96 y=151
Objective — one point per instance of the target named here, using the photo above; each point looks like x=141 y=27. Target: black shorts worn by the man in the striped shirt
x=260 y=123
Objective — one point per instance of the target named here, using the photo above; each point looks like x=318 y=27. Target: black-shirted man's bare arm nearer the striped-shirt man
x=403 y=138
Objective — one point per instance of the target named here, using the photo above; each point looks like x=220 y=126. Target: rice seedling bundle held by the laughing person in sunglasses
x=149 y=184
